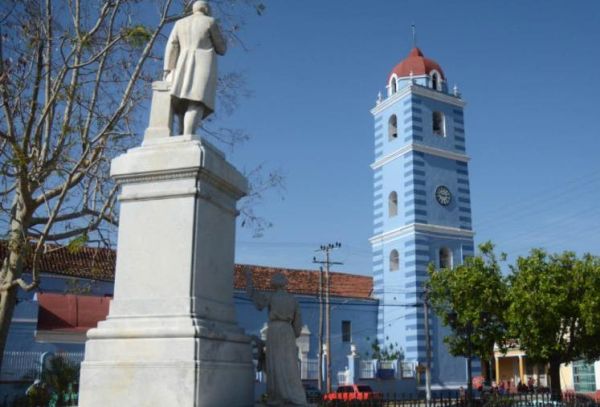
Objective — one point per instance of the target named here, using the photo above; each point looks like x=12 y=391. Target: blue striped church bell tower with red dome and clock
x=422 y=206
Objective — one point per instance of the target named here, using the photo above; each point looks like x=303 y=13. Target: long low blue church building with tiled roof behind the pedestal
x=30 y=340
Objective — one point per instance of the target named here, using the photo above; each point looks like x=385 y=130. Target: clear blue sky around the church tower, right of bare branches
x=527 y=69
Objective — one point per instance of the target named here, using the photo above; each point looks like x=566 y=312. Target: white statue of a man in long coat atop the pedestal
x=191 y=66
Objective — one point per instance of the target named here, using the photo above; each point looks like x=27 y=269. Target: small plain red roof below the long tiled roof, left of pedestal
x=70 y=313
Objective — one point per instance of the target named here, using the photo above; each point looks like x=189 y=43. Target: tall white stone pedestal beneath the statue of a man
x=171 y=338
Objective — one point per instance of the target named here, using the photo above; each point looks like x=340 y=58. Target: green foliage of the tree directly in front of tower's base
x=476 y=293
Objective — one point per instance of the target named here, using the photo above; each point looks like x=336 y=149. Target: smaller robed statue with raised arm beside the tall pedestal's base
x=284 y=385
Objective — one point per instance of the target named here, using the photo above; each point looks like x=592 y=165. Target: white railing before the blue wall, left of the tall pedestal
x=19 y=365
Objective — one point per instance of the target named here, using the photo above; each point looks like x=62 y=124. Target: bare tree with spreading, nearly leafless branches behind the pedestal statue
x=73 y=82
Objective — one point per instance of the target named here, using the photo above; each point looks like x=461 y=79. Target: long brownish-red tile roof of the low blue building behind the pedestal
x=99 y=264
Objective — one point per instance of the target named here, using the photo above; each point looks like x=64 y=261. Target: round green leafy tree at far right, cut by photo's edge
x=555 y=309
